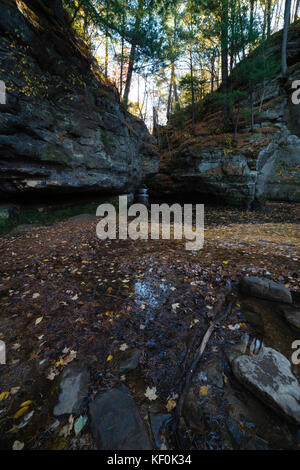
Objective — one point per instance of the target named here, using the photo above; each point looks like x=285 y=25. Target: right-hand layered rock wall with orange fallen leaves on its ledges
x=264 y=165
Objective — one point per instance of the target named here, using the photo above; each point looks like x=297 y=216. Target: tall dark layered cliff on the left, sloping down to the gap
x=62 y=128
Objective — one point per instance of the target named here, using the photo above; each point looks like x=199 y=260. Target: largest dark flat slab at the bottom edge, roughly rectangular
x=116 y=423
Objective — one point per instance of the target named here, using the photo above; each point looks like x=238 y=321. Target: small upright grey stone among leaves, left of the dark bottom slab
x=73 y=391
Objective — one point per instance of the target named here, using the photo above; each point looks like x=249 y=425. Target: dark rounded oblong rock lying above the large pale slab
x=265 y=289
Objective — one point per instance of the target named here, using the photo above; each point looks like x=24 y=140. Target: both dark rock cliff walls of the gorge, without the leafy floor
x=64 y=131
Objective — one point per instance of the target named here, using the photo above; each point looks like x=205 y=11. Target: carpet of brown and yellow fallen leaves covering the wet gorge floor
x=83 y=278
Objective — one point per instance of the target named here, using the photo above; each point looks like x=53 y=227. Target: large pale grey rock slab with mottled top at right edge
x=268 y=375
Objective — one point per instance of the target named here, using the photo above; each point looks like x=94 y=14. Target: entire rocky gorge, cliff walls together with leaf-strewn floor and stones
x=141 y=344
